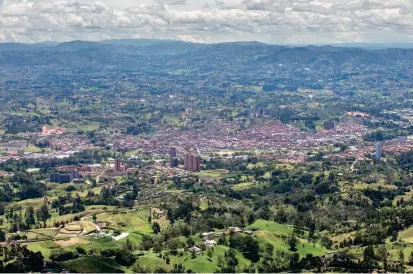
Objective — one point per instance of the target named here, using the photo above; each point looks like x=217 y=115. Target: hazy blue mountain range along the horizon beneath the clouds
x=169 y=56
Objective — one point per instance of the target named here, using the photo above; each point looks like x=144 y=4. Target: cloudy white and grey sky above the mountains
x=209 y=21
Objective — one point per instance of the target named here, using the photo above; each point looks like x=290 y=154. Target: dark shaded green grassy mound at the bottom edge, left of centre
x=92 y=265
